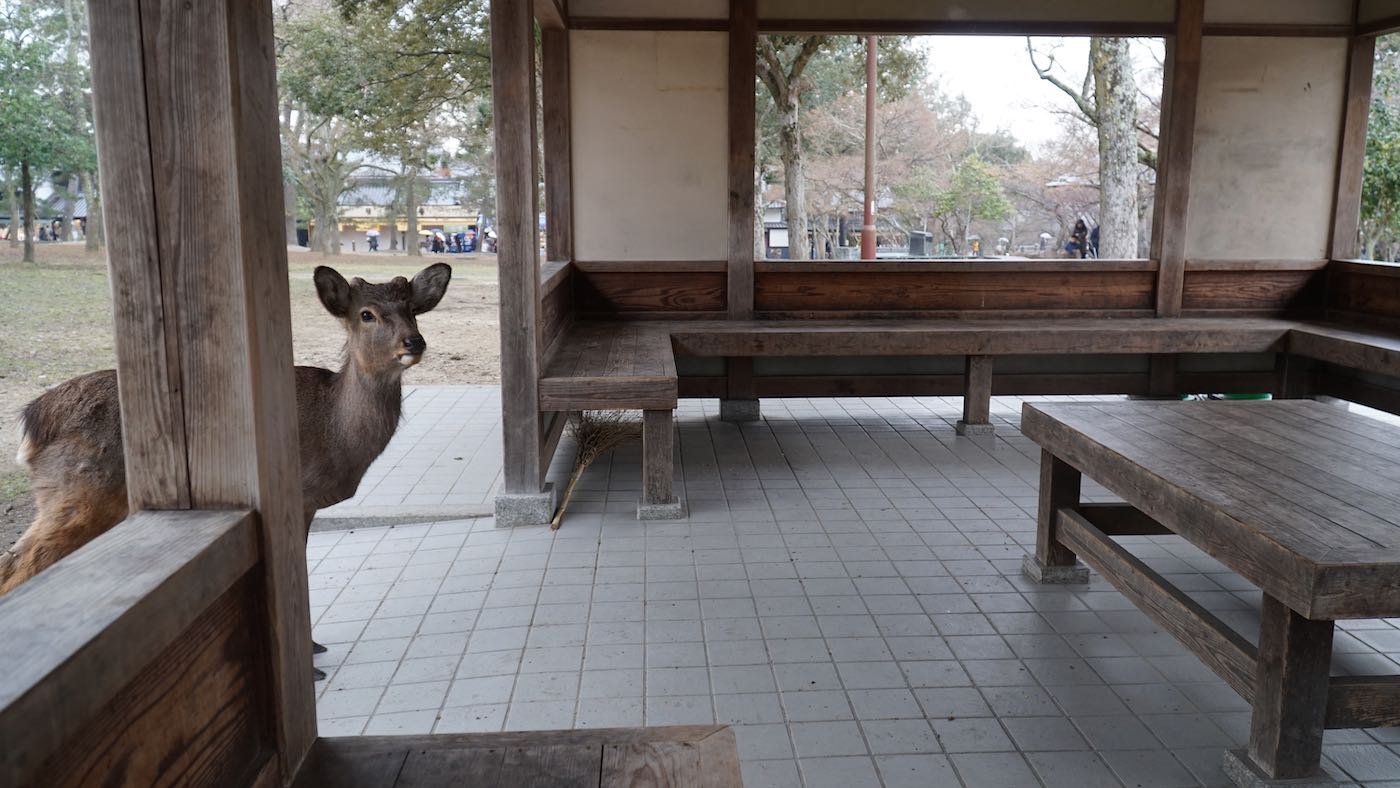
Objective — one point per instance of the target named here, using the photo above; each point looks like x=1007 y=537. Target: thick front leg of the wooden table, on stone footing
x=1290 y=701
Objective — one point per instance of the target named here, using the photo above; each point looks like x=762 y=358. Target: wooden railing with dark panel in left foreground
x=136 y=660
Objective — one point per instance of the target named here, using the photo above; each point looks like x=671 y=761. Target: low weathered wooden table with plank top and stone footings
x=1298 y=498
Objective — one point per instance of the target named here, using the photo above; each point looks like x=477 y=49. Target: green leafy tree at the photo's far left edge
x=36 y=129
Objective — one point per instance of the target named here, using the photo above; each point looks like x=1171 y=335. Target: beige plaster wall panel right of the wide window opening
x=1268 y=131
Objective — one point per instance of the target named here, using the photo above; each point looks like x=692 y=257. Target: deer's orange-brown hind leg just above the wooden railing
x=65 y=523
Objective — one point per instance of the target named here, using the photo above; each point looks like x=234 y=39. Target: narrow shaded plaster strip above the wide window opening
x=972 y=10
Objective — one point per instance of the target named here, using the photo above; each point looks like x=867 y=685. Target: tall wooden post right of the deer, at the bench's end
x=513 y=97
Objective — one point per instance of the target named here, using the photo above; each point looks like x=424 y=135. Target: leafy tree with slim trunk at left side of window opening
x=839 y=68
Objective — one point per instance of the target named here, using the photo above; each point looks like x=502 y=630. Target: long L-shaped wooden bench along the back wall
x=631 y=365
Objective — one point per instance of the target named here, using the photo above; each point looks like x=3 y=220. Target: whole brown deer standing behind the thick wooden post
x=72 y=436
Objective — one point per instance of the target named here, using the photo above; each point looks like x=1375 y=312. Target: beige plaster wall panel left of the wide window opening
x=652 y=145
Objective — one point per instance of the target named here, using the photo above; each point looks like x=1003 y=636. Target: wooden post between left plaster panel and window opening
x=744 y=41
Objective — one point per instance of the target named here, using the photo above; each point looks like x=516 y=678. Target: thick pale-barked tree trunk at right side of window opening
x=1107 y=100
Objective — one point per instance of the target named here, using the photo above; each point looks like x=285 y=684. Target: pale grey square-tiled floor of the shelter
x=846 y=593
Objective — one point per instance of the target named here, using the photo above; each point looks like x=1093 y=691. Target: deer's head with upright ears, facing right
x=381 y=320
